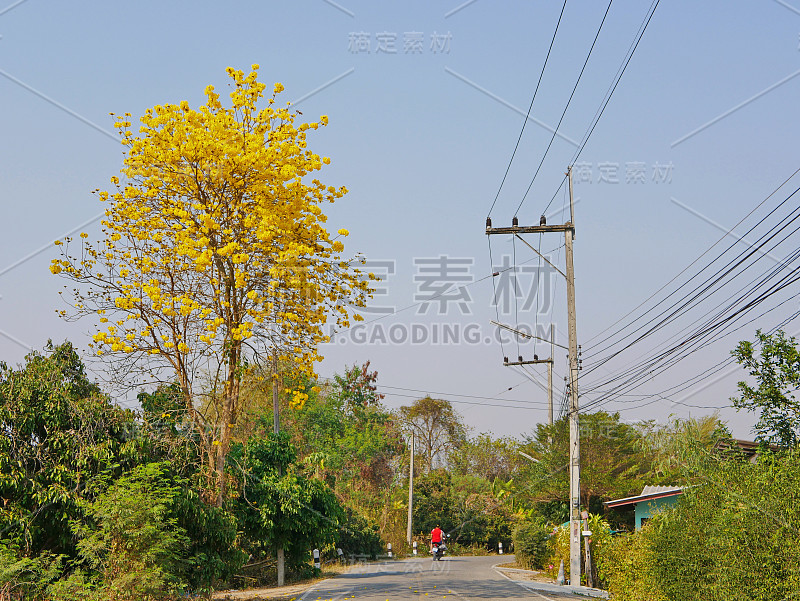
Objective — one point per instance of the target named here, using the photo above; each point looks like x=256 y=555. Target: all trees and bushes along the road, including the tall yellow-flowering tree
x=213 y=456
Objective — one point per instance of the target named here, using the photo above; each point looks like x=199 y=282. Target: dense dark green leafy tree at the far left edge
x=60 y=441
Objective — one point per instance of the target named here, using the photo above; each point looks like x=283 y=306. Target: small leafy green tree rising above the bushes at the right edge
x=776 y=369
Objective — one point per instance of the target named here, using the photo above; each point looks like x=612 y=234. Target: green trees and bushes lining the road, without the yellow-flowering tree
x=105 y=502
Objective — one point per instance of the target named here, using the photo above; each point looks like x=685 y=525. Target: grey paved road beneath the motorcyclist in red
x=453 y=578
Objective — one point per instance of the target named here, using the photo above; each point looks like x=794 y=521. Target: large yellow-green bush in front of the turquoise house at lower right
x=731 y=538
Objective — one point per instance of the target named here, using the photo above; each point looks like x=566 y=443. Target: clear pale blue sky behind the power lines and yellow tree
x=426 y=101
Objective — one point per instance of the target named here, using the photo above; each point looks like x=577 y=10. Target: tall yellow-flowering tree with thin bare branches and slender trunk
x=214 y=252
